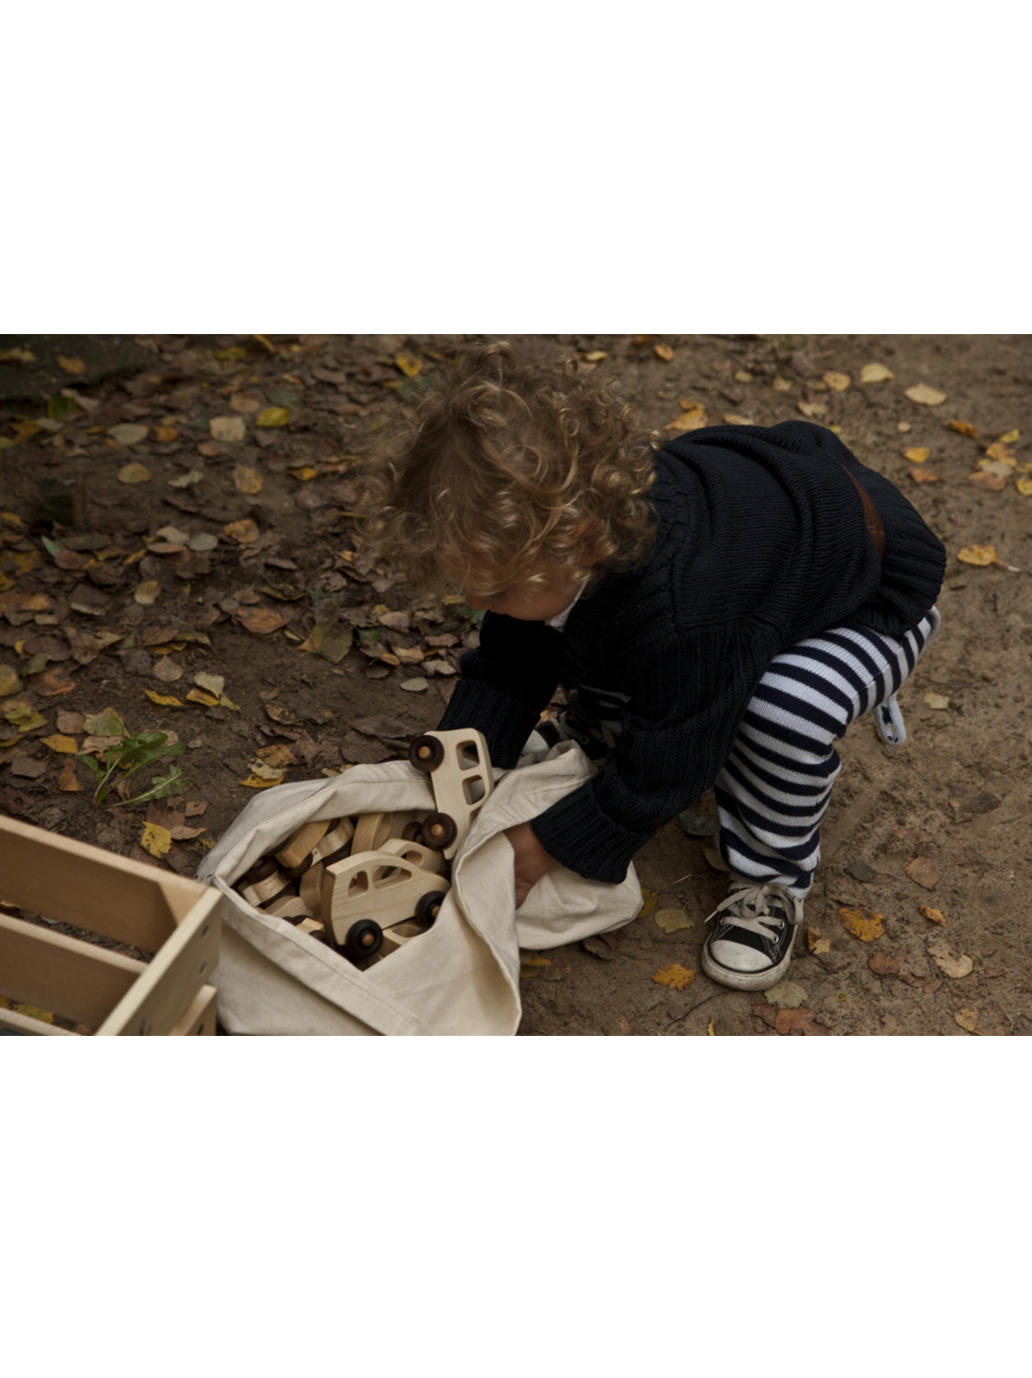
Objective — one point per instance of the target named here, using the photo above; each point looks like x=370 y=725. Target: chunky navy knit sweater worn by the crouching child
x=761 y=544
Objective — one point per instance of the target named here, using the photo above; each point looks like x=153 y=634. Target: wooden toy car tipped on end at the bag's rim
x=460 y=768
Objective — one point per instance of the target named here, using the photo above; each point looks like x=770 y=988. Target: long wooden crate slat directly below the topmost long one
x=74 y=979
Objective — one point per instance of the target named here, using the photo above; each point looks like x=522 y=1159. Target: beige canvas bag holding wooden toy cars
x=460 y=978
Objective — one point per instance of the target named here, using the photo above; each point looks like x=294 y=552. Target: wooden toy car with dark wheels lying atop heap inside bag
x=366 y=895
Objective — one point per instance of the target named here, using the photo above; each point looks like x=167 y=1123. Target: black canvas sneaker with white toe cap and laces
x=753 y=938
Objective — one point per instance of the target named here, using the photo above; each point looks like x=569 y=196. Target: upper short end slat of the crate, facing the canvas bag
x=167 y=987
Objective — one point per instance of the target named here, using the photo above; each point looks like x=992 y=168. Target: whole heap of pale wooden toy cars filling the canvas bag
x=369 y=884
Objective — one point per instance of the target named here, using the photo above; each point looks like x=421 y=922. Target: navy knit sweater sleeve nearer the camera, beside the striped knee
x=677 y=732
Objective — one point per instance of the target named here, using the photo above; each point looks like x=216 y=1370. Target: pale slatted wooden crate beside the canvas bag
x=176 y=920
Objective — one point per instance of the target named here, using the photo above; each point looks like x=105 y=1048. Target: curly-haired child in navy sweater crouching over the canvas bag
x=719 y=613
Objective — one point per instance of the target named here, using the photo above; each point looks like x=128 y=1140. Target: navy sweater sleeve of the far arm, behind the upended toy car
x=505 y=686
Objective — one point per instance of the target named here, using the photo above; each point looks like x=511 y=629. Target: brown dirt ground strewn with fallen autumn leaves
x=221 y=534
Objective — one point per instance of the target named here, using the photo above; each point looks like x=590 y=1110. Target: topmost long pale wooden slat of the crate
x=90 y=888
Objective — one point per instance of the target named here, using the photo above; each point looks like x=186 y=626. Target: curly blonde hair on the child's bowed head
x=508 y=471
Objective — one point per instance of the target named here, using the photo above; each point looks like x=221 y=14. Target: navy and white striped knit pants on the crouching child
x=776 y=785
